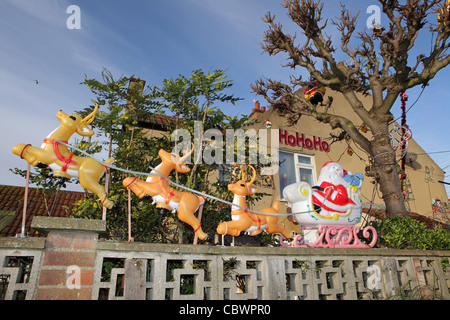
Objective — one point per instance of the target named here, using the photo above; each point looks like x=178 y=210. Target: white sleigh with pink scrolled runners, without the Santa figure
x=328 y=225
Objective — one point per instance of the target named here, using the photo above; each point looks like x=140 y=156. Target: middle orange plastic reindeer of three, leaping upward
x=166 y=197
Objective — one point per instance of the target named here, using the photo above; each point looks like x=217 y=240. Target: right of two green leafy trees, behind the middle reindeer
x=192 y=100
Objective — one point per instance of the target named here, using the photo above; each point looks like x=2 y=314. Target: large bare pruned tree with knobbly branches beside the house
x=380 y=67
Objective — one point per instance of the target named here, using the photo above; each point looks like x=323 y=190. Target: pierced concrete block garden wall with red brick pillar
x=72 y=263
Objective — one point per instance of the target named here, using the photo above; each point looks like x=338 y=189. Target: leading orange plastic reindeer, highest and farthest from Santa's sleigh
x=63 y=163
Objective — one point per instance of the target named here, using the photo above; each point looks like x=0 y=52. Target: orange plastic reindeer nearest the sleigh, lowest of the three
x=243 y=220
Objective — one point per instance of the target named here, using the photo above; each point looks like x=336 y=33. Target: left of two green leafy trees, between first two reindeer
x=116 y=125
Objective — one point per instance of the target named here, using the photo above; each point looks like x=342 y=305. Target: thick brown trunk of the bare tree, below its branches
x=387 y=172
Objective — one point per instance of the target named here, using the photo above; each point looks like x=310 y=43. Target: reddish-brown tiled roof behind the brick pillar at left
x=11 y=207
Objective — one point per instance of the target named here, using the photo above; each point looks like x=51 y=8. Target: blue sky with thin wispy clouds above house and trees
x=156 y=40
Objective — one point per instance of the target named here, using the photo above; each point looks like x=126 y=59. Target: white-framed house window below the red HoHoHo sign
x=295 y=167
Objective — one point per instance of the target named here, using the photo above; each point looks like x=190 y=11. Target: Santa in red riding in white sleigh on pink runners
x=331 y=208
